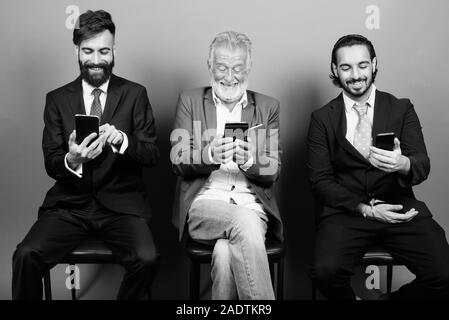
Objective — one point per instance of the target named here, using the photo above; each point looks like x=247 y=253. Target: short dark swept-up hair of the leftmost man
x=91 y=23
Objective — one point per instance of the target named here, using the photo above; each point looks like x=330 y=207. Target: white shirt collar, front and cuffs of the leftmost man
x=88 y=99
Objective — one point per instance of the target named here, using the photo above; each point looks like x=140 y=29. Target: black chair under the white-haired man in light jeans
x=201 y=253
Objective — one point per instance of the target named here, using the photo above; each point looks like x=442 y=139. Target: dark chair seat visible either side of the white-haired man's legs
x=203 y=252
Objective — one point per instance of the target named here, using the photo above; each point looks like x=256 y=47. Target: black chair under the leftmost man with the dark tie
x=90 y=251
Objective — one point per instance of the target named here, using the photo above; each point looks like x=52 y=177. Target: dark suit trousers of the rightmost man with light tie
x=342 y=240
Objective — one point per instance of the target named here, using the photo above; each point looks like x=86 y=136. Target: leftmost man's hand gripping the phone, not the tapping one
x=79 y=154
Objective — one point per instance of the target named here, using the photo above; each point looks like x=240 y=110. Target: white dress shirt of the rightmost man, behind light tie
x=352 y=117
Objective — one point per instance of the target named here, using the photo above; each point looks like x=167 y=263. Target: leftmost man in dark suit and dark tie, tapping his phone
x=99 y=188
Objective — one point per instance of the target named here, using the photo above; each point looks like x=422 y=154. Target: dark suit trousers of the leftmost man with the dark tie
x=58 y=231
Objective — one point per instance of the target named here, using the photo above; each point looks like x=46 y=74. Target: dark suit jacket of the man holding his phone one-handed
x=341 y=177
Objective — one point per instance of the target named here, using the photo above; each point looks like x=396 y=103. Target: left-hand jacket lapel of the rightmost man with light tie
x=338 y=119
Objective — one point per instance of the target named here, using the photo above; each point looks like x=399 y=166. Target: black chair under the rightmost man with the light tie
x=374 y=256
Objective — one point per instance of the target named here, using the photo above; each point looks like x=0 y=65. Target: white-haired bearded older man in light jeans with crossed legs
x=225 y=187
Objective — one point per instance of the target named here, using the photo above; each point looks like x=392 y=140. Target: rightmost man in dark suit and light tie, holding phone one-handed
x=365 y=193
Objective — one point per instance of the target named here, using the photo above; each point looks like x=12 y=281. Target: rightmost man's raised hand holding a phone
x=390 y=161
